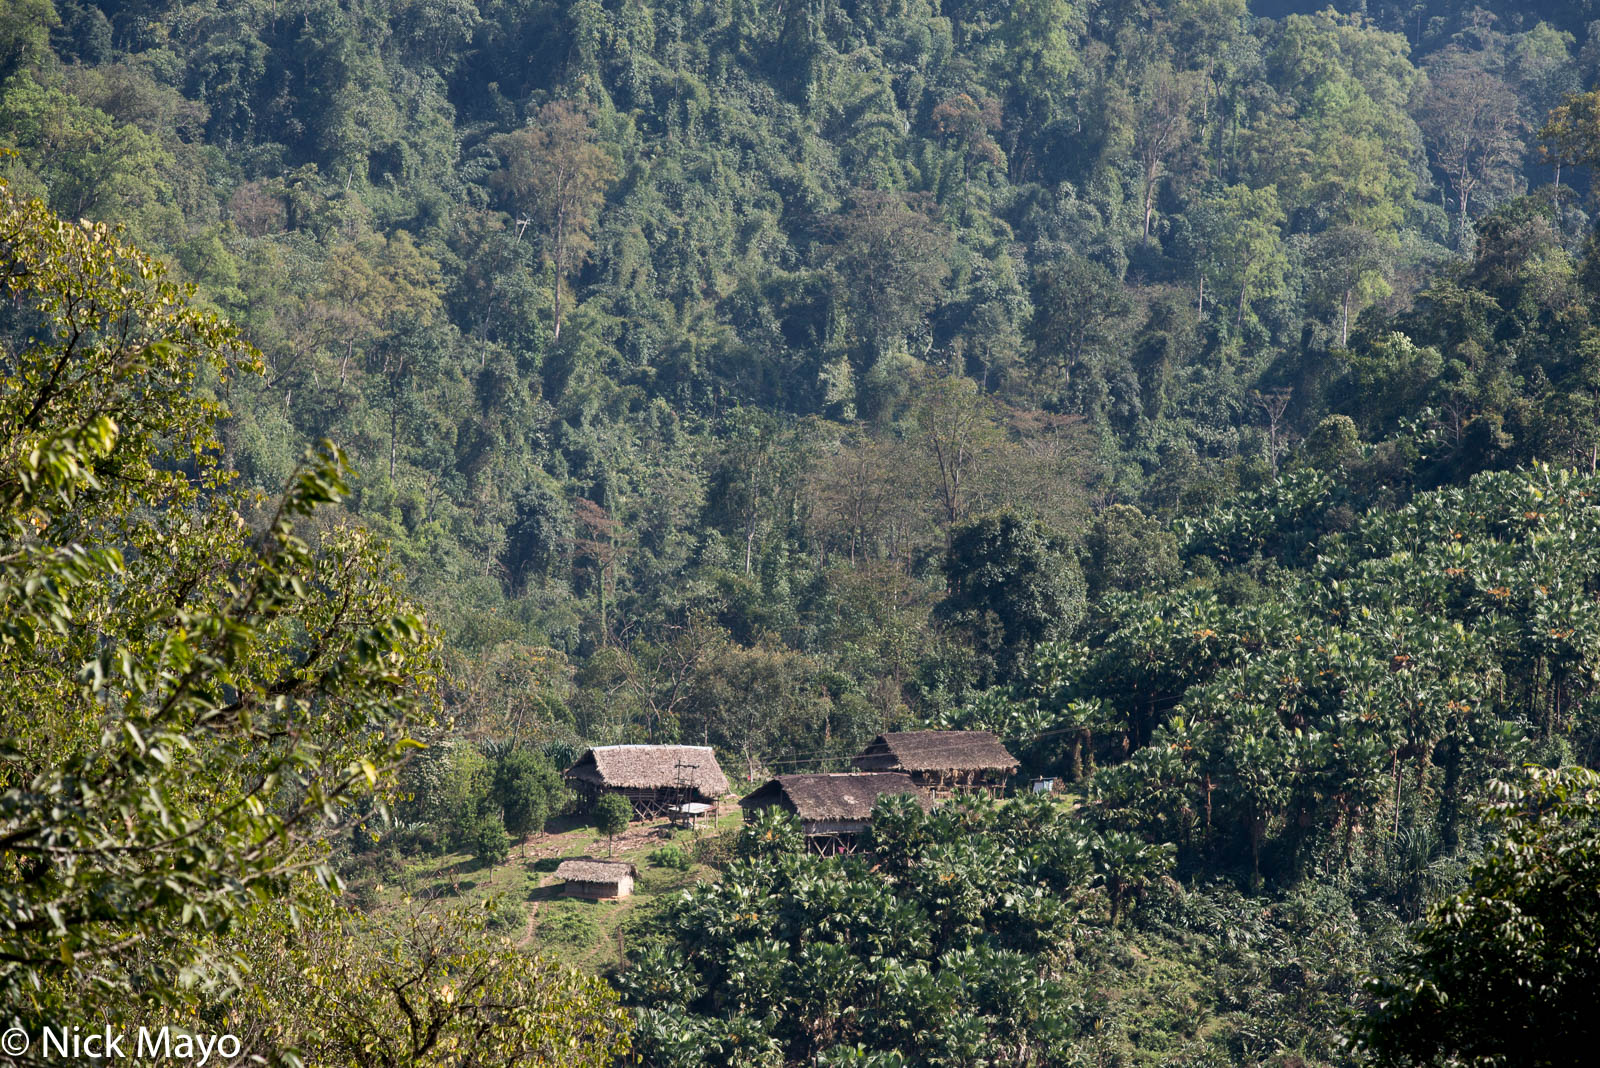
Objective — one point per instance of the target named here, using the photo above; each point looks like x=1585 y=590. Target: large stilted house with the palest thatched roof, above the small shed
x=654 y=778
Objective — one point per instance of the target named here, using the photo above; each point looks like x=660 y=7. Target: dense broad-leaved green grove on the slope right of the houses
x=1305 y=725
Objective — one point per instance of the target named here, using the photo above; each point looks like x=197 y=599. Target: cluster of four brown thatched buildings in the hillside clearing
x=684 y=783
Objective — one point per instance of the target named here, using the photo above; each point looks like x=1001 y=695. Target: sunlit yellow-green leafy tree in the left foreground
x=190 y=698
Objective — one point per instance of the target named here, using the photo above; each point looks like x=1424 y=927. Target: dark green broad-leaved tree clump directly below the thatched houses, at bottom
x=954 y=939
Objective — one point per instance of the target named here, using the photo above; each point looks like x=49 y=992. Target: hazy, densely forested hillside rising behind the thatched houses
x=673 y=343
